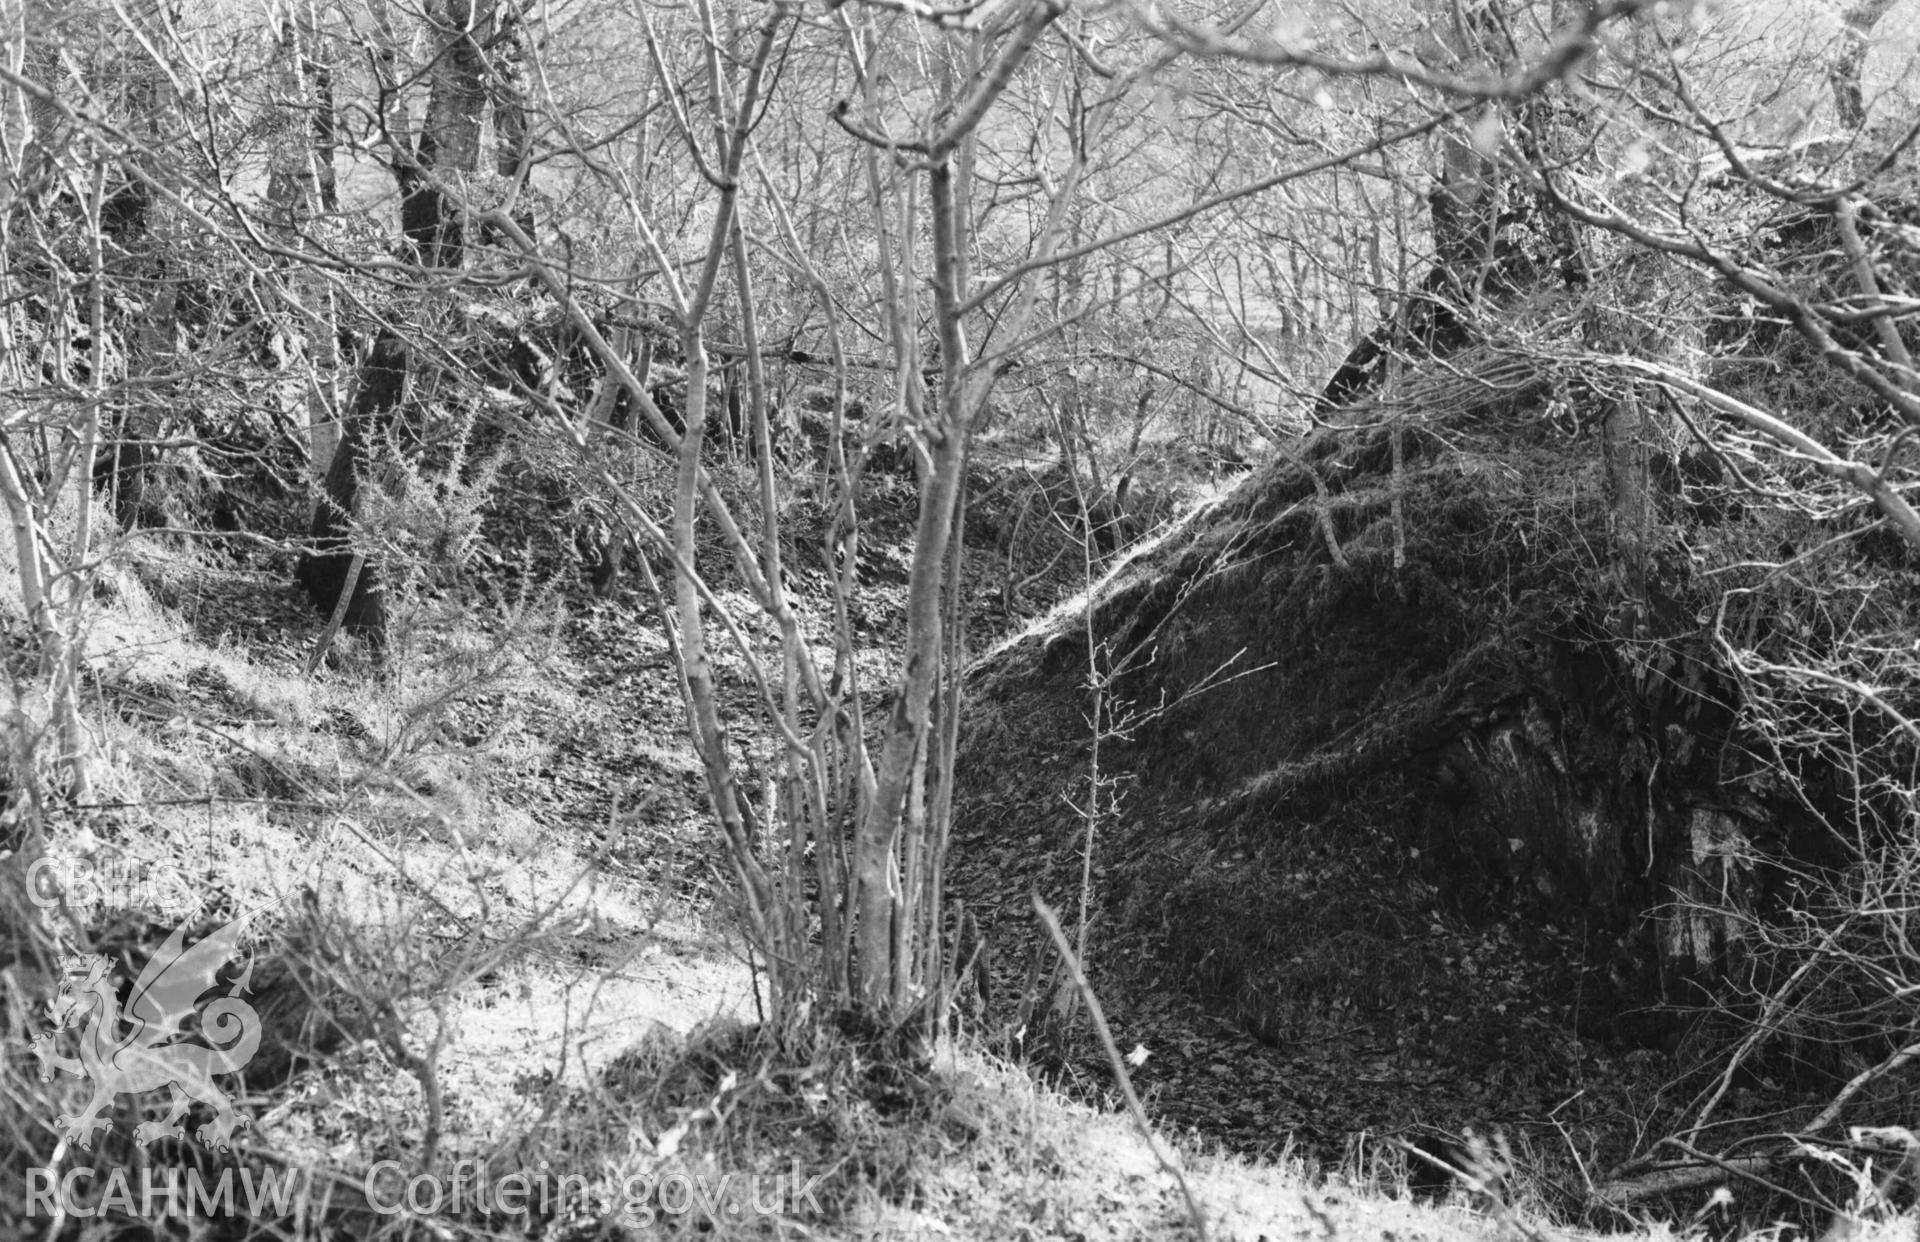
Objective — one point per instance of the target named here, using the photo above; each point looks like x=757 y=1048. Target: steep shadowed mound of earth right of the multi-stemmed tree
x=1401 y=786
